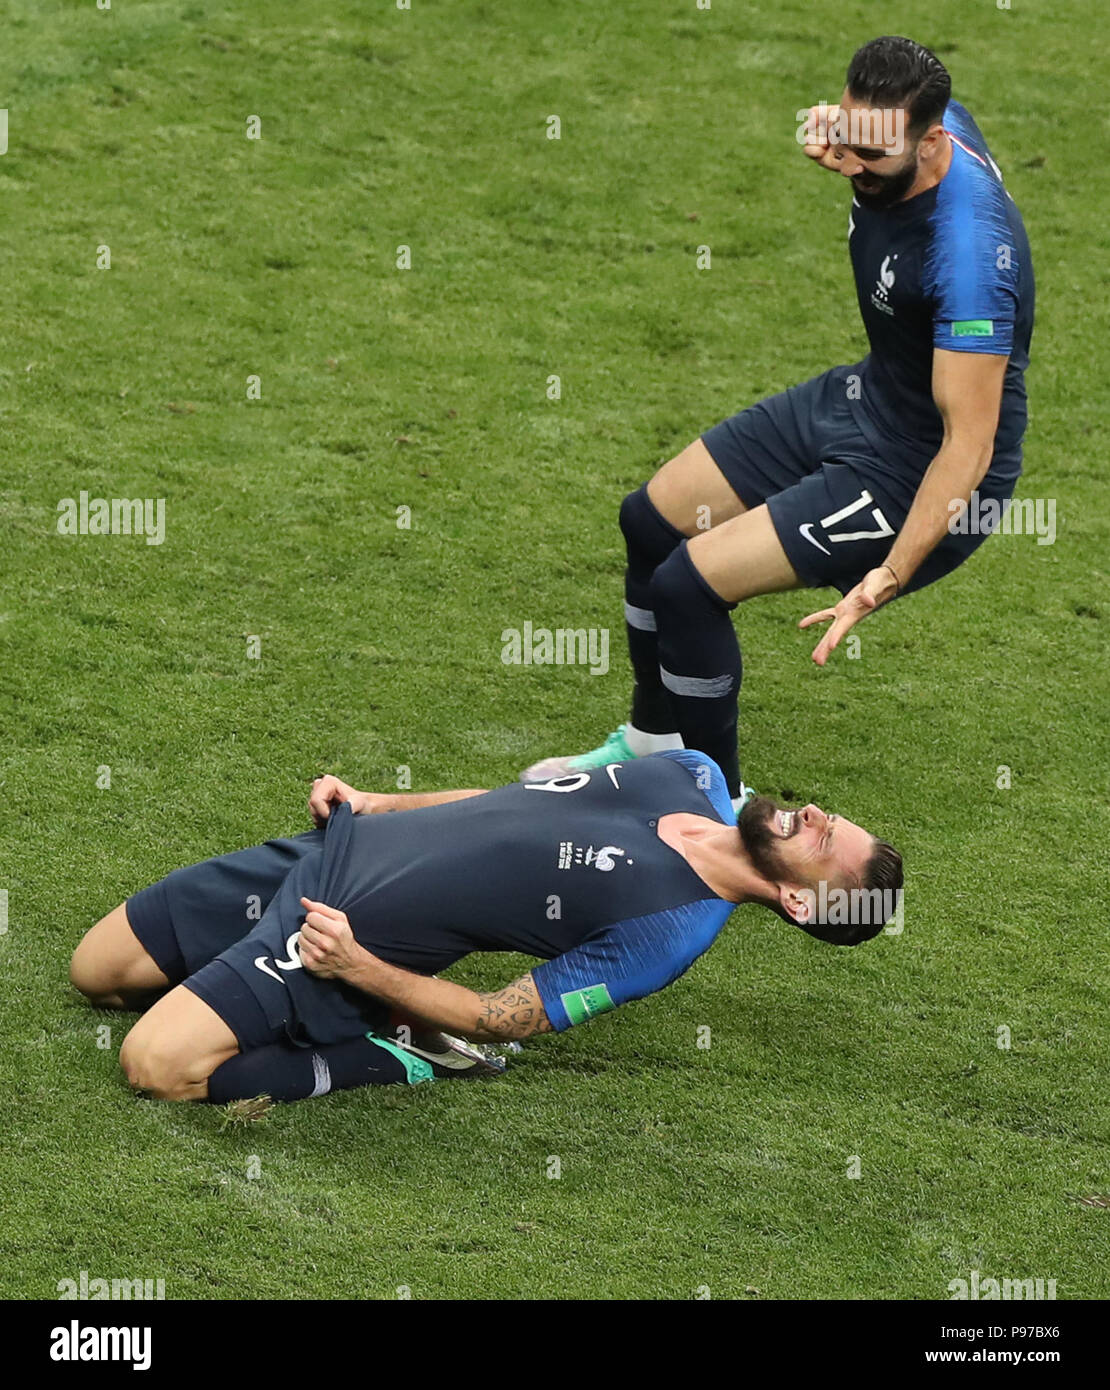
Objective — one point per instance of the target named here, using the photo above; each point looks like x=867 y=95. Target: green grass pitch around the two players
x=684 y=1170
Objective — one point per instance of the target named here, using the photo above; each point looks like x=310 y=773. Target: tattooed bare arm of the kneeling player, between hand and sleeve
x=513 y=1013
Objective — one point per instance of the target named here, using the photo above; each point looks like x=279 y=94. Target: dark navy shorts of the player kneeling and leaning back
x=215 y=928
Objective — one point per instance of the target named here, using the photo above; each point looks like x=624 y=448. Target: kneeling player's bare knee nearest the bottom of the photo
x=176 y=1047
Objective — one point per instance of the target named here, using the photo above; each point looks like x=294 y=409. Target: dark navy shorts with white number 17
x=836 y=501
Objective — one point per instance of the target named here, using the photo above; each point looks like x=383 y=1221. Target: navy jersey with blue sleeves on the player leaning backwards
x=572 y=871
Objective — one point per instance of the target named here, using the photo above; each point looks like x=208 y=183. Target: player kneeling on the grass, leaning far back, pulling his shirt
x=618 y=879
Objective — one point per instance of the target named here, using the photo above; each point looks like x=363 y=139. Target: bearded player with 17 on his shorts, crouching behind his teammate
x=852 y=479
